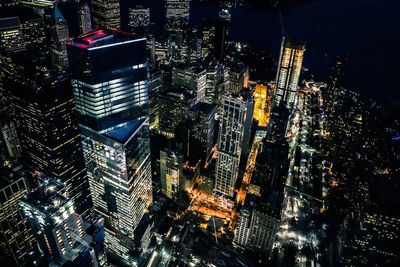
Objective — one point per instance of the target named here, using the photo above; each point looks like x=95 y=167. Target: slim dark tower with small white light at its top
x=221 y=33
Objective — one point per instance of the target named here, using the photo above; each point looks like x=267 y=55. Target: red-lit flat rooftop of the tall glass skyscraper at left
x=102 y=38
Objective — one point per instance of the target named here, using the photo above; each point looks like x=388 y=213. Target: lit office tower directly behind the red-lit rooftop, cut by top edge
x=106 y=13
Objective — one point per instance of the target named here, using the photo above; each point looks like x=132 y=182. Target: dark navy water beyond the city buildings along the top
x=368 y=31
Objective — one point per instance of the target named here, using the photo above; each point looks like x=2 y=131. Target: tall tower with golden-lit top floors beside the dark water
x=287 y=77
